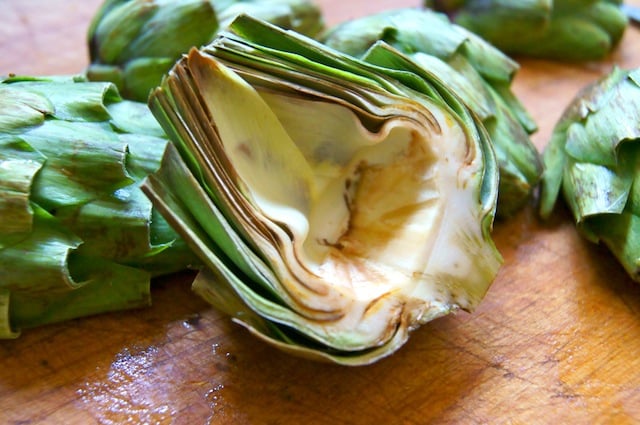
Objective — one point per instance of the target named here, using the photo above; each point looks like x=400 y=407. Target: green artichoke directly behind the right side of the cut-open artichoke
x=480 y=74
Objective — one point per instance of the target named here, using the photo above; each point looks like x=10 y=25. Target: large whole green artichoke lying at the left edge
x=77 y=235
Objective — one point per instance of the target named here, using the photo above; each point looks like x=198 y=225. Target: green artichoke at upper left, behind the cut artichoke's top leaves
x=134 y=43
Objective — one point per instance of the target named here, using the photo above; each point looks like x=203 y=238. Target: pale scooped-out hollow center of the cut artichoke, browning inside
x=351 y=210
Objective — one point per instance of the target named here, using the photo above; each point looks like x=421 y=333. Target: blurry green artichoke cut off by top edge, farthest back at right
x=569 y=30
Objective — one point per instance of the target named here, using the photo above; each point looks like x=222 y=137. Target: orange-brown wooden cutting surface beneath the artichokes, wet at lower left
x=556 y=340
